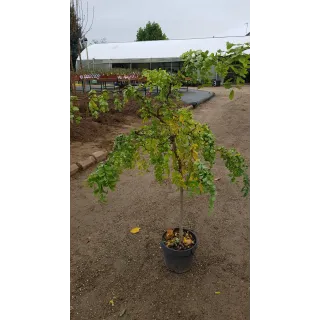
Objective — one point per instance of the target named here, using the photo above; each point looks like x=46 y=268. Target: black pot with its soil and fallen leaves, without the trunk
x=178 y=256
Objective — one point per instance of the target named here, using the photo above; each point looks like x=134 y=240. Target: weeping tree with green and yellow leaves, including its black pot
x=178 y=148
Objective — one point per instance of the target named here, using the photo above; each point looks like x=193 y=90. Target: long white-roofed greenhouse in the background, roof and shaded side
x=164 y=54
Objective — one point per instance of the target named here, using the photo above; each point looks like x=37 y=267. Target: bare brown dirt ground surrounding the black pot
x=107 y=262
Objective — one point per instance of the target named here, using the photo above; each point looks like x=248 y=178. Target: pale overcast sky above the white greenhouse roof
x=119 y=21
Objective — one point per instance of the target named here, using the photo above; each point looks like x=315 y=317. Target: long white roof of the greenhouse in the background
x=157 y=49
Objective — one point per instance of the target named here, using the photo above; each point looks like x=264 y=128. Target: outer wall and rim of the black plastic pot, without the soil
x=179 y=261
